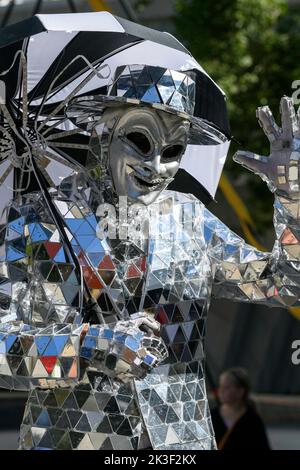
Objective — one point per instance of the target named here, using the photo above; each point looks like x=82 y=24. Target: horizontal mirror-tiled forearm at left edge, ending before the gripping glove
x=38 y=357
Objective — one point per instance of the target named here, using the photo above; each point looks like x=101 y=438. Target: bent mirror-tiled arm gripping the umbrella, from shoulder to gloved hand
x=40 y=314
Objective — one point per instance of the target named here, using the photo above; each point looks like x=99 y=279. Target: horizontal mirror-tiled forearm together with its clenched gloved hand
x=54 y=357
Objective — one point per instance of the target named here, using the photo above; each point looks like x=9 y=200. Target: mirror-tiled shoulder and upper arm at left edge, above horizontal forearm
x=39 y=282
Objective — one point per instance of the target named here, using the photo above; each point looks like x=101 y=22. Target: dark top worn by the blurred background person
x=247 y=433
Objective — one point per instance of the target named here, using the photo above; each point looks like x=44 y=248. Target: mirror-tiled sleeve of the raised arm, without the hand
x=243 y=273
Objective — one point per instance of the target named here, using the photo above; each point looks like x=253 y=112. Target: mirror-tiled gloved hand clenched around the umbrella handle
x=128 y=350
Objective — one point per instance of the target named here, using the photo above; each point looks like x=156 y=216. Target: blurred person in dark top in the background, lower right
x=236 y=423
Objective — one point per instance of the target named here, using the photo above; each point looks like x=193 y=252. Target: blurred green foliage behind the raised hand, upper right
x=251 y=48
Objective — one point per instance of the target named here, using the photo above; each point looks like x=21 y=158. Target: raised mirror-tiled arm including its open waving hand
x=240 y=271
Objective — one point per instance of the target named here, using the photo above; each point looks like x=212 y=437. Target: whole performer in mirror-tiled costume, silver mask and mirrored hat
x=140 y=262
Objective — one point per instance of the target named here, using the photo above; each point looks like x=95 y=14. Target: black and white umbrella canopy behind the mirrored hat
x=47 y=60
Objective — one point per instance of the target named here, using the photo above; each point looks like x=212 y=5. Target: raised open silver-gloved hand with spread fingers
x=281 y=169
